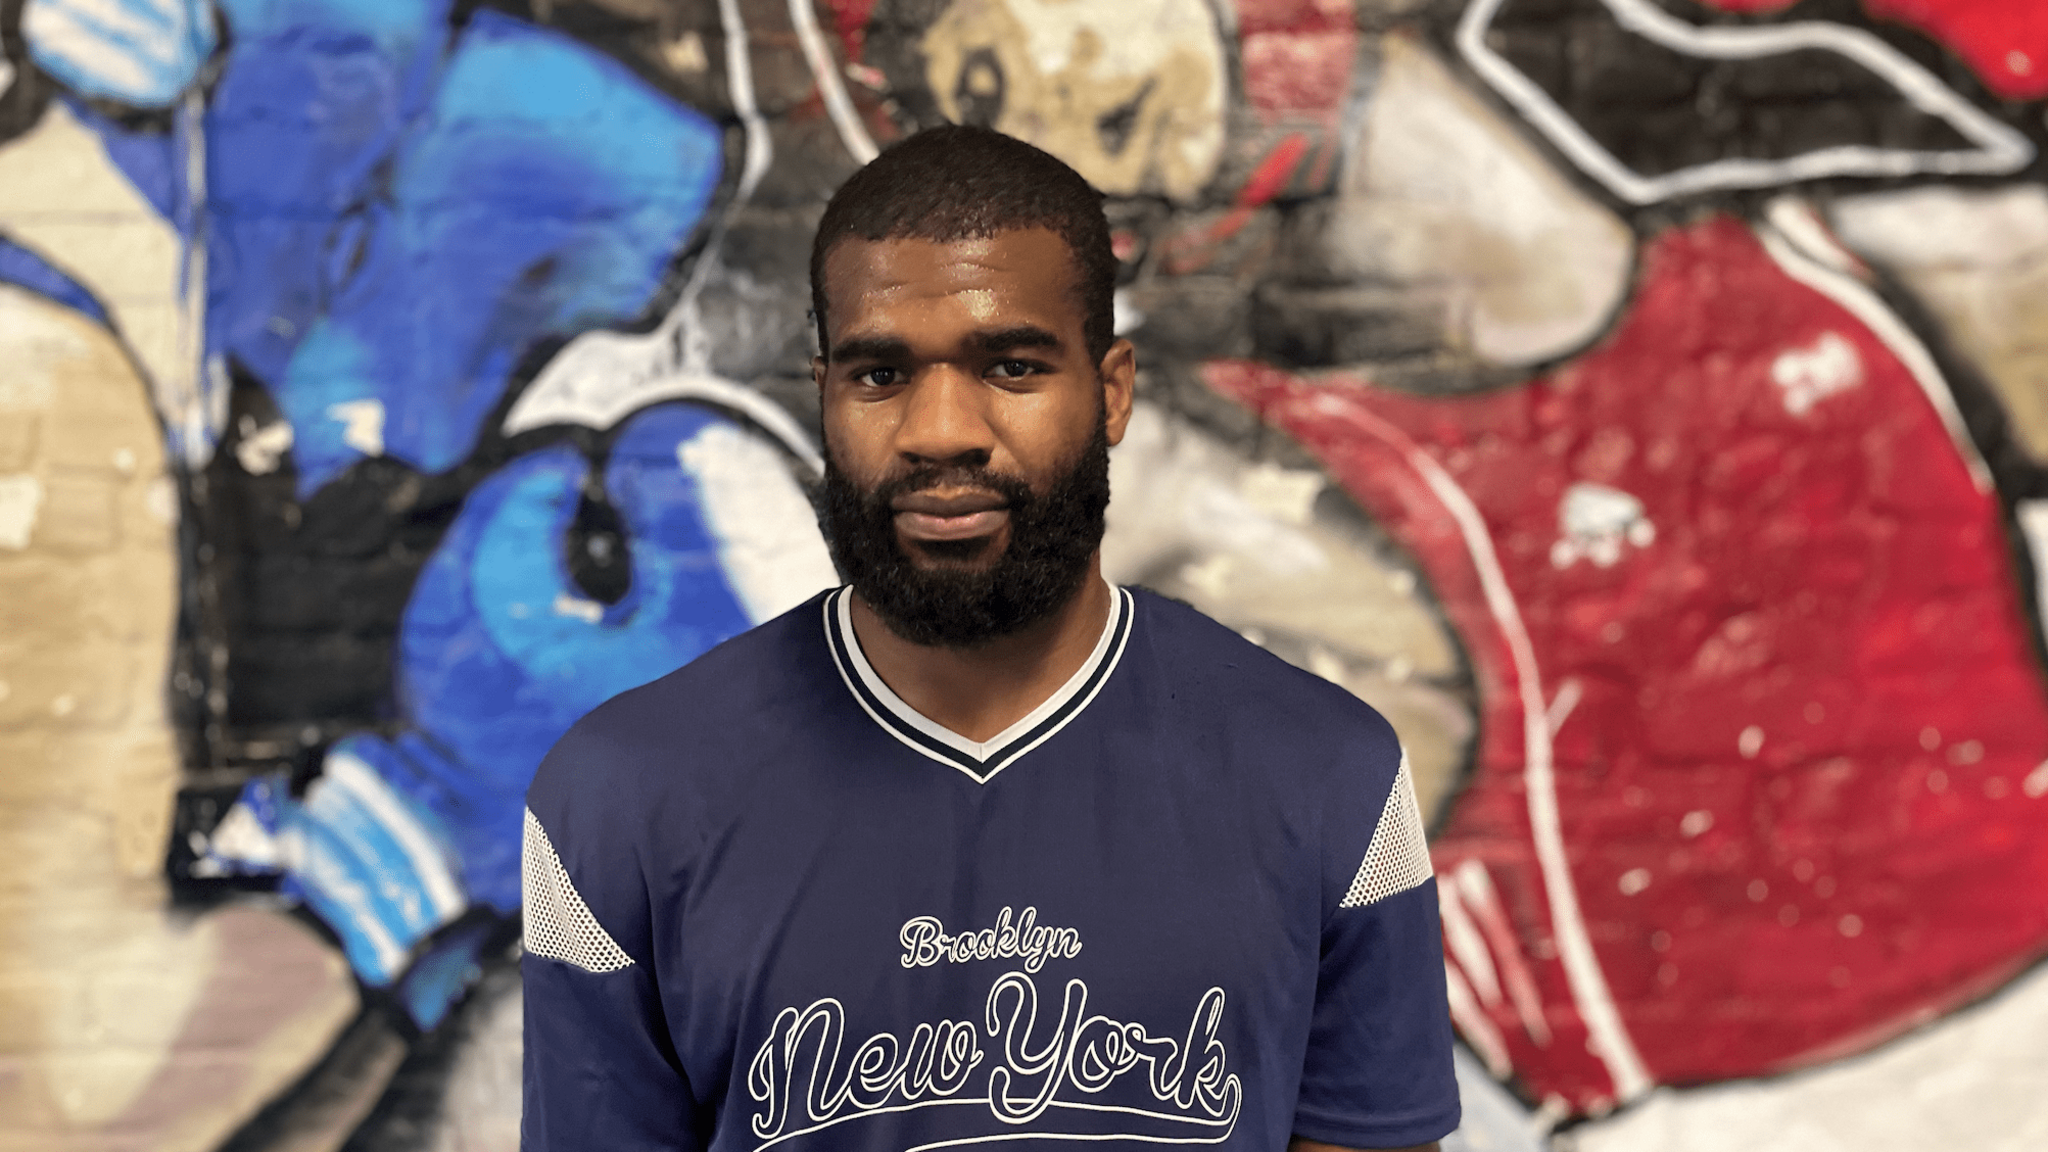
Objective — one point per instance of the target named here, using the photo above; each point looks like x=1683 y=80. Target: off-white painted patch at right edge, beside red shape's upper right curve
x=1979 y=261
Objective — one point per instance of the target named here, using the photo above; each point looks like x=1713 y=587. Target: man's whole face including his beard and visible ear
x=968 y=431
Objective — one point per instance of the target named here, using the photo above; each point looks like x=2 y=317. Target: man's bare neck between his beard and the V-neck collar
x=980 y=692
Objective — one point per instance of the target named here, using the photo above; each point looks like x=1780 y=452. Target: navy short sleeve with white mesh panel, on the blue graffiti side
x=599 y=1063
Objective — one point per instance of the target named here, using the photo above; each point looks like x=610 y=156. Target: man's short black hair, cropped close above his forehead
x=972 y=183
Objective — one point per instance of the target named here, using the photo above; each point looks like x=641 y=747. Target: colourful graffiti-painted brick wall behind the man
x=1644 y=403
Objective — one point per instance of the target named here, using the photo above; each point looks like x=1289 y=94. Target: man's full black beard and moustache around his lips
x=962 y=602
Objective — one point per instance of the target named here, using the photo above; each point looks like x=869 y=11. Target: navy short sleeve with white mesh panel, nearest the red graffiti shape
x=1379 y=1063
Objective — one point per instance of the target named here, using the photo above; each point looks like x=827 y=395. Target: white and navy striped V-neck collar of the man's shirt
x=980 y=759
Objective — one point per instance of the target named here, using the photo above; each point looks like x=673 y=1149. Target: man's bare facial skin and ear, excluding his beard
x=964 y=356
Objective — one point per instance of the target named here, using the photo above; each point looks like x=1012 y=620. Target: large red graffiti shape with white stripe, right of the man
x=1760 y=770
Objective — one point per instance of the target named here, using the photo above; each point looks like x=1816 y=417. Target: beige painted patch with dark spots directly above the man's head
x=1129 y=93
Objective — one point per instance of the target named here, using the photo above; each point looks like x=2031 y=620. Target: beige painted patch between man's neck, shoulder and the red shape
x=1240 y=540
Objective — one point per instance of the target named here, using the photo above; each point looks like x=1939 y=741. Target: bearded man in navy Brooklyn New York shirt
x=978 y=848
